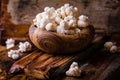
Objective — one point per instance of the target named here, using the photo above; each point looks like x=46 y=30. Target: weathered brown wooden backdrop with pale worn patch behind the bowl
x=17 y=15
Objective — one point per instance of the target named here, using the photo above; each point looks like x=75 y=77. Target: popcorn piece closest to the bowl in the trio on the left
x=26 y=46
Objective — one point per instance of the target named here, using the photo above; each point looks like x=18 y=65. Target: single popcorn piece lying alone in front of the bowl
x=73 y=70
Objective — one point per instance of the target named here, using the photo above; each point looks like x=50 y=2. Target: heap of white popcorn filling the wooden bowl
x=62 y=20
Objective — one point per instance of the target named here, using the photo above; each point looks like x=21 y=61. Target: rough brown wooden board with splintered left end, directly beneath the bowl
x=44 y=65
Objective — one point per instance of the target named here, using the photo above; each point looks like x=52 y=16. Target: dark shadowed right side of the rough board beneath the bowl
x=81 y=57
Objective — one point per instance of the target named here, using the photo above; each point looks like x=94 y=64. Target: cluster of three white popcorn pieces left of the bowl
x=23 y=47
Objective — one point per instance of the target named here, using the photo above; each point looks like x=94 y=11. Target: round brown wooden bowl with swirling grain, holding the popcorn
x=54 y=43
